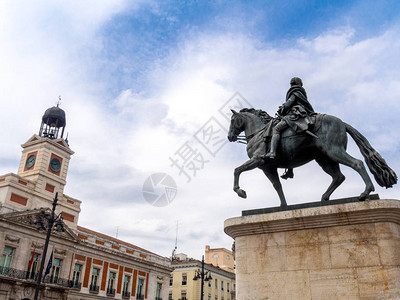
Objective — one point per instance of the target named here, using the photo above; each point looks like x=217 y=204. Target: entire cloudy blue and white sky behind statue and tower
x=139 y=79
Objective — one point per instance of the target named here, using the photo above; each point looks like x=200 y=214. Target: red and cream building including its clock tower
x=84 y=264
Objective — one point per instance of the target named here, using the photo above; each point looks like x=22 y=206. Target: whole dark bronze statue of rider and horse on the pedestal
x=297 y=136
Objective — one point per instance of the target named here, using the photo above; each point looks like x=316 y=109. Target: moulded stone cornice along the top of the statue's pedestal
x=385 y=210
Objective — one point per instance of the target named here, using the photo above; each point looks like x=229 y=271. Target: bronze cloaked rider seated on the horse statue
x=294 y=113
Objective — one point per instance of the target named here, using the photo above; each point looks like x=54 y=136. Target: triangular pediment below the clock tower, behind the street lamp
x=28 y=218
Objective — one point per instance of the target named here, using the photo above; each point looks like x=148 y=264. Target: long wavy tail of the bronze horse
x=383 y=174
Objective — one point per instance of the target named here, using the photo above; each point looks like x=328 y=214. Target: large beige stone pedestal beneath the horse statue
x=341 y=251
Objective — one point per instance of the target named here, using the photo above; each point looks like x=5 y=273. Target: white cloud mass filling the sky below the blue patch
x=119 y=142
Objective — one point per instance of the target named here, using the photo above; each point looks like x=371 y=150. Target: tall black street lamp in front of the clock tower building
x=41 y=227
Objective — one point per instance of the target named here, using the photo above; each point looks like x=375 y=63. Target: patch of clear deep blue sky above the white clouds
x=133 y=40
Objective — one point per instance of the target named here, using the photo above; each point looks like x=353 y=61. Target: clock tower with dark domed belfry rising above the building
x=42 y=172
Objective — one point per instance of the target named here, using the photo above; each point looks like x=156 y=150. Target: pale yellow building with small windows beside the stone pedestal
x=182 y=285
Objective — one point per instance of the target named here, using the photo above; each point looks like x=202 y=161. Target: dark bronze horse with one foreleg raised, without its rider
x=329 y=150
